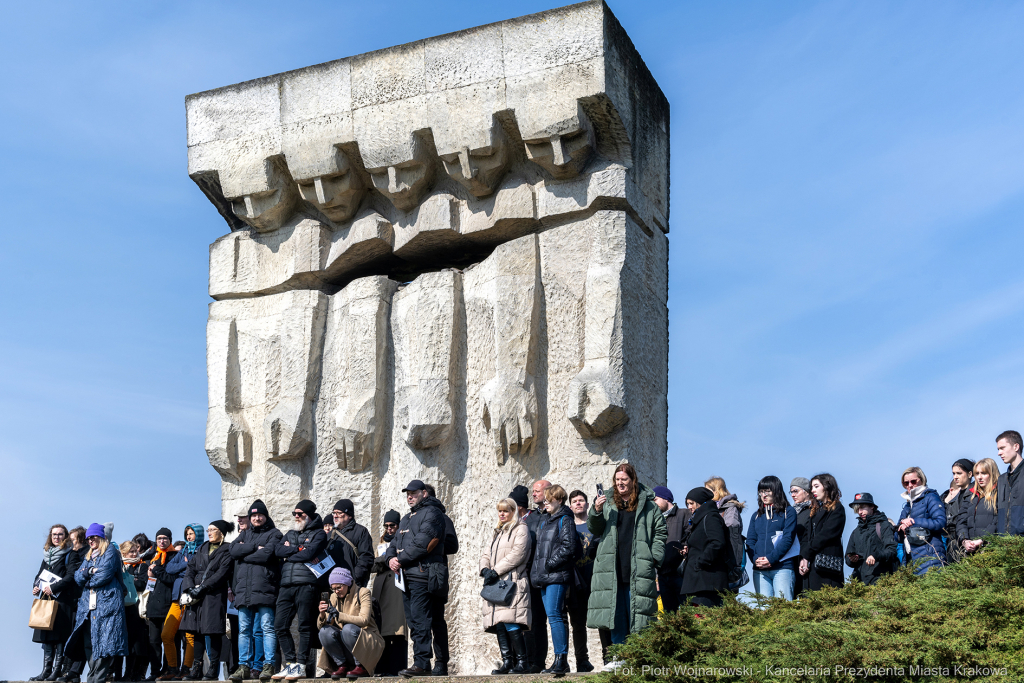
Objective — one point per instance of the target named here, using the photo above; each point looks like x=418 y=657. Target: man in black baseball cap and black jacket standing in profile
x=418 y=551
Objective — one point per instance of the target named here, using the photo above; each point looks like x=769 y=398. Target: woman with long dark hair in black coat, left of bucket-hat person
x=823 y=559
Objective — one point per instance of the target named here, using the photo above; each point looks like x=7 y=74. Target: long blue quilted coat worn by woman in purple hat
x=108 y=627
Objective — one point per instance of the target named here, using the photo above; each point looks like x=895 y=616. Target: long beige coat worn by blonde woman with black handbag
x=507 y=556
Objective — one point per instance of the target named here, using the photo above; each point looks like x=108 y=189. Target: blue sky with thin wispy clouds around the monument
x=846 y=290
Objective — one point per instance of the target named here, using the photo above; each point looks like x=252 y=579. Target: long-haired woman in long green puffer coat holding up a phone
x=624 y=590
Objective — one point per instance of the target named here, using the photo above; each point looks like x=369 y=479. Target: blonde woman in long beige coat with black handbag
x=505 y=559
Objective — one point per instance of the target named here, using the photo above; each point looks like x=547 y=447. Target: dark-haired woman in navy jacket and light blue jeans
x=772 y=541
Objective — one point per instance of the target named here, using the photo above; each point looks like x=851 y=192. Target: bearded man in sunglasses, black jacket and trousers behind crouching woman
x=298 y=590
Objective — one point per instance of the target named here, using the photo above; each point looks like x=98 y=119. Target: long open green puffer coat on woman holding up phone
x=649 y=550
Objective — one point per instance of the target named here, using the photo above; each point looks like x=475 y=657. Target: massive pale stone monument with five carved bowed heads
x=448 y=261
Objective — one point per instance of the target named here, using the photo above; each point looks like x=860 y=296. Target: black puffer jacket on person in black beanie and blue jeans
x=258 y=570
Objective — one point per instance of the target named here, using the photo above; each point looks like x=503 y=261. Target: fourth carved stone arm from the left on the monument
x=424 y=315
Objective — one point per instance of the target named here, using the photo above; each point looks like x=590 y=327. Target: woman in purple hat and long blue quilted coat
x=101 y=633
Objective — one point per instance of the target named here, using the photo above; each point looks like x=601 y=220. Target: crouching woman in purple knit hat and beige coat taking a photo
x=348 y=630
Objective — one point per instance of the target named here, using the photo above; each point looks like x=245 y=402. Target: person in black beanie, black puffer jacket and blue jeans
x=255 y=590
